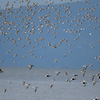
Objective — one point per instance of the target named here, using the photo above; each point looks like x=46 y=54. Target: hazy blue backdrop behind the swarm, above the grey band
x=82 y=49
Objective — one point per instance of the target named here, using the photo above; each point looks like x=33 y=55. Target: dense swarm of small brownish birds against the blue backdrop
x=33 y=26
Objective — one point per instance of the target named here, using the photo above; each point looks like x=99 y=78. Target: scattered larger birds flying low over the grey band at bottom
x=57 y=73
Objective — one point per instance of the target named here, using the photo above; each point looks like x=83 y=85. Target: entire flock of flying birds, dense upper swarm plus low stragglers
x=29 y=27
